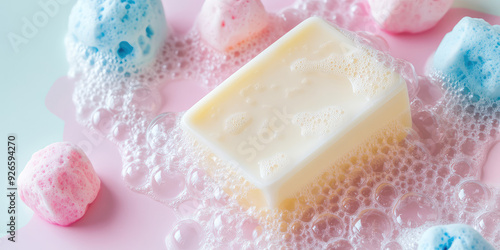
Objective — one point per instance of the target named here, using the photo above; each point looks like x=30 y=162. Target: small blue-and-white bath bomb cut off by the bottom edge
x=453 y=237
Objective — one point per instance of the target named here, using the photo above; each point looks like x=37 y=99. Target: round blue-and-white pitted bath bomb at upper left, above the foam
x=130 y=31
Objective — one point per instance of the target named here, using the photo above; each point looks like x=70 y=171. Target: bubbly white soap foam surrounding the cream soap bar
x=382 y=195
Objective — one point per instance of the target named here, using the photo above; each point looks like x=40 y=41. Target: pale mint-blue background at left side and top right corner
x=27 y=75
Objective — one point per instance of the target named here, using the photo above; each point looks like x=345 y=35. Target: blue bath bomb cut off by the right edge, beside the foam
x=470 y=57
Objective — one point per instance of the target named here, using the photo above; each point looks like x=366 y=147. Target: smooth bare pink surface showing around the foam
x=122 y=219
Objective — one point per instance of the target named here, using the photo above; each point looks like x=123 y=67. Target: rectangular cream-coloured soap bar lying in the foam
x=297 y=108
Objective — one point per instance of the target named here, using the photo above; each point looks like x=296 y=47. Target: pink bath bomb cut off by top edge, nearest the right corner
x=411 y=16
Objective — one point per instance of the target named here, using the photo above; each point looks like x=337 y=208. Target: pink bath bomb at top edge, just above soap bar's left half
x=225 y=23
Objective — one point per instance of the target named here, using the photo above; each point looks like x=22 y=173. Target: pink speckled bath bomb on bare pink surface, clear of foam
x=59 y=183
